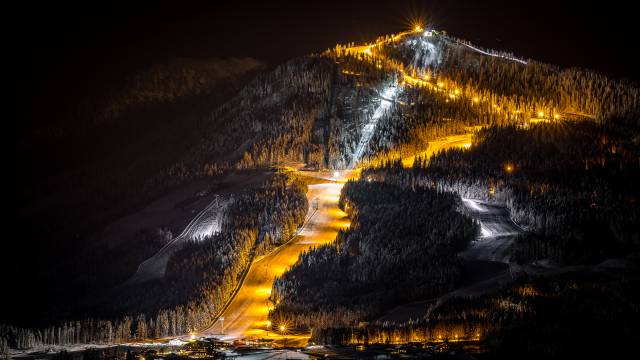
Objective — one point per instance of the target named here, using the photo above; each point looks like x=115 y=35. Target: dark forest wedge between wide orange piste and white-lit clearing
x=401 y=245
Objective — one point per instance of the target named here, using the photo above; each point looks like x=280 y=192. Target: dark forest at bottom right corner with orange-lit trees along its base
x=585 y=314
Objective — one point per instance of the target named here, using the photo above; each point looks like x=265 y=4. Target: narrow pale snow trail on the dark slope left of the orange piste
x=206 y=223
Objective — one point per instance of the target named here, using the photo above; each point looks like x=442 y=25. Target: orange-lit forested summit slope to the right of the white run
x=459 y=87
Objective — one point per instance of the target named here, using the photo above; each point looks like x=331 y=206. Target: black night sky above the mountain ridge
x=66 y=51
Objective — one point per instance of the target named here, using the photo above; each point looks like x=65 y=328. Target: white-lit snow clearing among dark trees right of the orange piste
x=497 y=232
